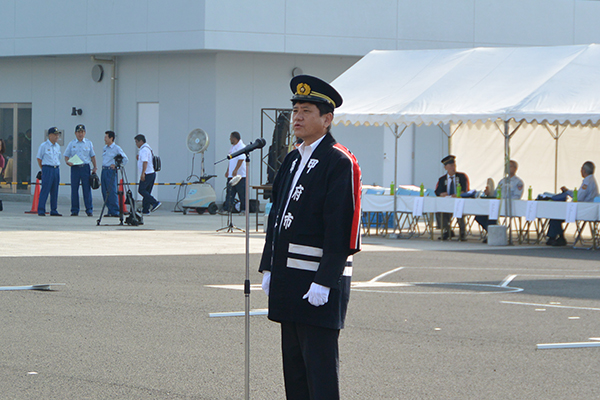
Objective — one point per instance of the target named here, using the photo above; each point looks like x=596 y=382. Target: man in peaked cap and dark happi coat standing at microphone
x=313 y=231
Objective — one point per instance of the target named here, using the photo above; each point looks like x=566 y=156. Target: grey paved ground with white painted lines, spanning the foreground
x=427 y=319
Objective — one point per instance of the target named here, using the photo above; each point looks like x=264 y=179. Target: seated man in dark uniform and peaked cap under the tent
x=447 y=186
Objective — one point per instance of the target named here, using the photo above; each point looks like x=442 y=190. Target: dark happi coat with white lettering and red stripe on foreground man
x=312 y=242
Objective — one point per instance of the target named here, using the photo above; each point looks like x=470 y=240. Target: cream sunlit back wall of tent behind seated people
x=480 y=153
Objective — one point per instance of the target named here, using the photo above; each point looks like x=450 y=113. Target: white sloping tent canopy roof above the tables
x=548 y=88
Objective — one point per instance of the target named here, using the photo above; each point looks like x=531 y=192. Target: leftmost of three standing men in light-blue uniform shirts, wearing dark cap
x=49 y=161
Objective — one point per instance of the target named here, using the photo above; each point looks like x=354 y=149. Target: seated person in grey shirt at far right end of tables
x=586 y=193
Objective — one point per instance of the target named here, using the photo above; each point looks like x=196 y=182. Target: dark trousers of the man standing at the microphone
x=310 y=362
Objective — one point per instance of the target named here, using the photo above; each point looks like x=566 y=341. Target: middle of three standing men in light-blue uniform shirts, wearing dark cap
x=78 y=155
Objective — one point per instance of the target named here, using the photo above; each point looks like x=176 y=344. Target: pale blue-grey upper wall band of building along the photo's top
x=340 y=27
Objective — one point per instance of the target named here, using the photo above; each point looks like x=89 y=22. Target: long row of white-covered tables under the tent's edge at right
x=528 y=219
